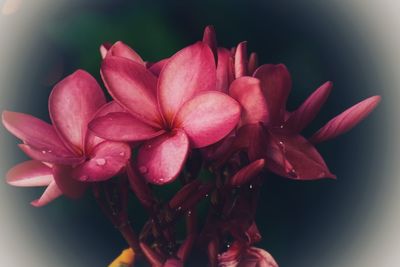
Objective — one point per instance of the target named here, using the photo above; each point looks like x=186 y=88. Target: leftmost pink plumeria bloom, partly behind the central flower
x=66 y=154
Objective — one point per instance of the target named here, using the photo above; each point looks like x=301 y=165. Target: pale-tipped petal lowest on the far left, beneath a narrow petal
x=29 y=173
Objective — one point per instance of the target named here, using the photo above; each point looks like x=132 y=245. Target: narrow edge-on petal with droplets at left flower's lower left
x=50 y=156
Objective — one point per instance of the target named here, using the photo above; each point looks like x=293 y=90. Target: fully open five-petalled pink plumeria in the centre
x=178 y=111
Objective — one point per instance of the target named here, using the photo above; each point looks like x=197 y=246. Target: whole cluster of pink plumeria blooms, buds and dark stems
x=204 y=109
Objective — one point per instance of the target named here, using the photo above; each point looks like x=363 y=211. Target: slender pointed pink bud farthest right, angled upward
x=346 y=120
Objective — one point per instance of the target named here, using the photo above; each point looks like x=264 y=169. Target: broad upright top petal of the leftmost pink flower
x=72 y=104
